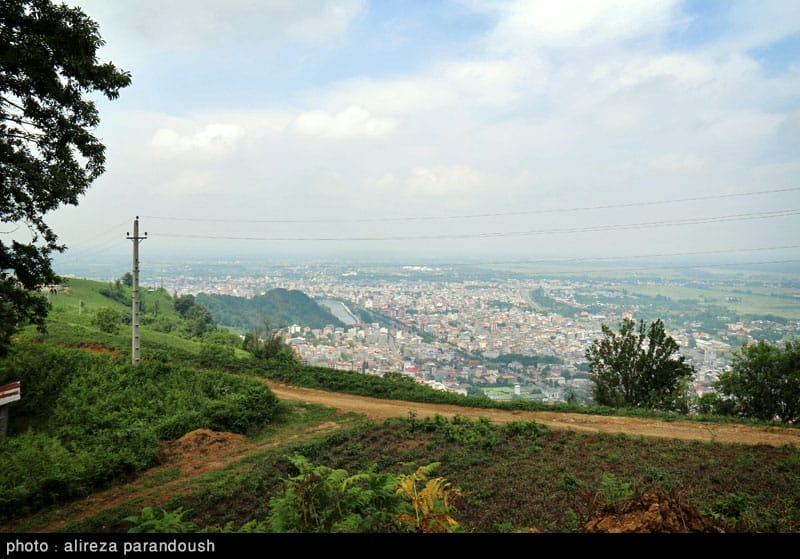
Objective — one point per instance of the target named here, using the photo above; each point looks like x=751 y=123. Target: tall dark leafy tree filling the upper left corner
x=48 y=153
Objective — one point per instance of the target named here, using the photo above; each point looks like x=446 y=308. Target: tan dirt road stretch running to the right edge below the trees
x=380 y=410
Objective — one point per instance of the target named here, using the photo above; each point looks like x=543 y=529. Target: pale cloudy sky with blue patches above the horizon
x=458 y=131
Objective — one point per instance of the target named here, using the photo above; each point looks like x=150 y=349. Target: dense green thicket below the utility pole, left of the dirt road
x=108 y=421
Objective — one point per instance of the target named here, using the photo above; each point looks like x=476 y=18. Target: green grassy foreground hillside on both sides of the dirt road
x=91 y=422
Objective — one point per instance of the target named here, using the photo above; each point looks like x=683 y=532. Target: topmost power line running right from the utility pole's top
x=483 y=215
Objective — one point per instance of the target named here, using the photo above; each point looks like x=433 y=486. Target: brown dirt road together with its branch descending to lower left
x=202 y=451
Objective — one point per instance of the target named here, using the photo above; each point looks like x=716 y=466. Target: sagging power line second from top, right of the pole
x=584 y=229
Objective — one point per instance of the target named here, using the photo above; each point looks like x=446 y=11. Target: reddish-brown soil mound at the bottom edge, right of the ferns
x=650 y=513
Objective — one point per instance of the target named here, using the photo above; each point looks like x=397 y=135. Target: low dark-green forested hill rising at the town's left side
x=280 y=307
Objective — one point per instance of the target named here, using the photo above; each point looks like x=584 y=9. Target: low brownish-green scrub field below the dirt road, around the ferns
x=522 y=476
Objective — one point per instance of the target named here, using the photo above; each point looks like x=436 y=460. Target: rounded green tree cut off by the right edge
x=763 y=382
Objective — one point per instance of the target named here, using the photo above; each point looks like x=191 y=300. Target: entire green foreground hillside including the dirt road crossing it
x=519 y=469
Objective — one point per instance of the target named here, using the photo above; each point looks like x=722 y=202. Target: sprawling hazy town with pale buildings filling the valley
x=504 y=333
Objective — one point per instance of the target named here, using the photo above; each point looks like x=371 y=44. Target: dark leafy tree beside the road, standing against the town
x=638 y=367
